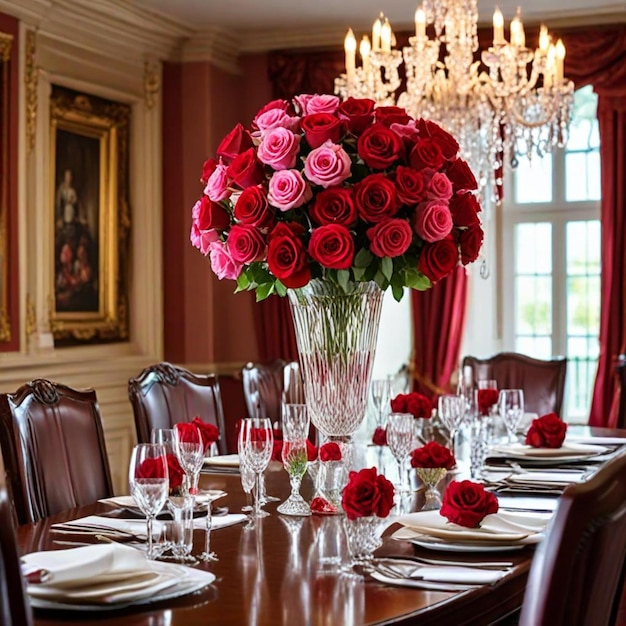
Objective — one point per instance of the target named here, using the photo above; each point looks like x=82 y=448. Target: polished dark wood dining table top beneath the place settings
x=275 y=571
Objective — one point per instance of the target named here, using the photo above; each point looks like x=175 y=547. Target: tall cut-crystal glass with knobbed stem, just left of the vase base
x=294 y=456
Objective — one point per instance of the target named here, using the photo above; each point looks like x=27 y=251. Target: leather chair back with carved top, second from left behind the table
x=165 y=394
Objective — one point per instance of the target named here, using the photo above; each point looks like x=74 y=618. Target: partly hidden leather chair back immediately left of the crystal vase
x=263 y=386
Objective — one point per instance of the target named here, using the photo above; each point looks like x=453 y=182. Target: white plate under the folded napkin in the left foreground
x=194 y=580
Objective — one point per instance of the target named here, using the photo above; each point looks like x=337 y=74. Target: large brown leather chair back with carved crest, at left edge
x=54 y=449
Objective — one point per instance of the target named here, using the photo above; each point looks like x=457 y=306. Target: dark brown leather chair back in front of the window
x=543 y=381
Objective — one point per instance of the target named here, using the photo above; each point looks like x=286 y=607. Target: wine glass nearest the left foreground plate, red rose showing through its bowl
x=149 y=483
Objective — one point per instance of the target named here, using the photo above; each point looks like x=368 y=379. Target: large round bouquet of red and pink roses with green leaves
x=340 y=191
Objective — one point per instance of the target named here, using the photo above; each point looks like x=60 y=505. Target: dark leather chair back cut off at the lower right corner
x=578 y=571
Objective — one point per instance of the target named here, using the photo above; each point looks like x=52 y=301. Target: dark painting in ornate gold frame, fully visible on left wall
x=89 y=190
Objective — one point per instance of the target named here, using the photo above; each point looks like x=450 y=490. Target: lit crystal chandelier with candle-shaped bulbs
x=512 y=102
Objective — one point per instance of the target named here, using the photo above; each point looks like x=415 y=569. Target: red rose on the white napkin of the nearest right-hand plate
x=466 y=503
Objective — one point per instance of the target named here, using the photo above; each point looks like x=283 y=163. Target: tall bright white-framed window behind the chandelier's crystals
x=552 y=280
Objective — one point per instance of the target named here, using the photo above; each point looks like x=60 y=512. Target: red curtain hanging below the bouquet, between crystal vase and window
x=438 y=321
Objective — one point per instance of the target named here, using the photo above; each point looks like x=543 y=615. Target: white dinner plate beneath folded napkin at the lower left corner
x=188 y=580
